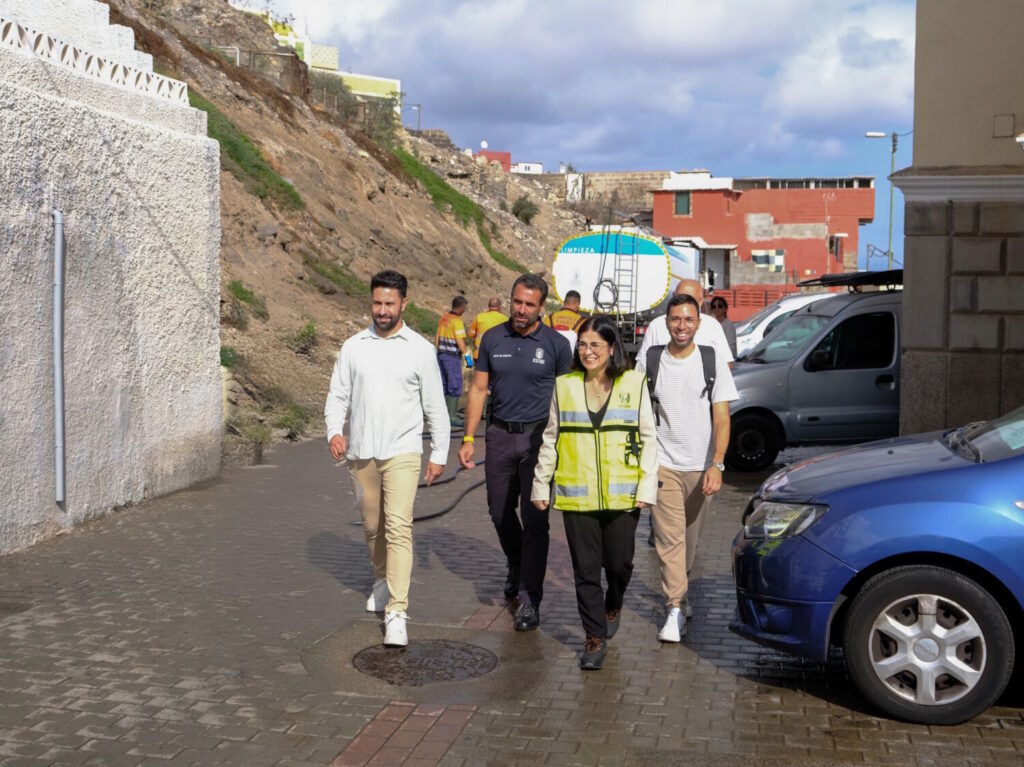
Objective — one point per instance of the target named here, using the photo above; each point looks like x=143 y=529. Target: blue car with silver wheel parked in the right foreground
x=909 y=553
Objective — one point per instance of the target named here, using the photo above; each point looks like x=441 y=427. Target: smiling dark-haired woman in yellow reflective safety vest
x=601 y=448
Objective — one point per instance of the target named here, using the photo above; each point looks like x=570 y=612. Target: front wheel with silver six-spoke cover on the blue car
x=942 y=670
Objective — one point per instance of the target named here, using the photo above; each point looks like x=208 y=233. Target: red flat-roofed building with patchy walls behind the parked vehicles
x=759 y=237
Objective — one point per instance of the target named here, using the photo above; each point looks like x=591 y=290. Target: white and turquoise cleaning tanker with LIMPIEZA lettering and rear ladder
x=623 y=272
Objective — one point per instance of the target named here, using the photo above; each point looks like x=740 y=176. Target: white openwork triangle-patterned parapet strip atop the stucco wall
x=56 y=52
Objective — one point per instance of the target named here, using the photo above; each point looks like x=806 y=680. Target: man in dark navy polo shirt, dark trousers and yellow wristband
x=519 y=362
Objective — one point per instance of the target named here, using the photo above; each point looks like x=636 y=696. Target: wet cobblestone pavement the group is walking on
x=220 y=626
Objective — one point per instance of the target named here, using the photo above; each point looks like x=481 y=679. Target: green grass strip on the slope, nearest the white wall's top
x=242 y=158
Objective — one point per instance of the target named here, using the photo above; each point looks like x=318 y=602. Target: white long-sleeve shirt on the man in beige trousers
x=385 y=387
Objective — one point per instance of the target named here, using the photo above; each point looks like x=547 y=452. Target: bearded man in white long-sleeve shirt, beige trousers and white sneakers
x=387 y=378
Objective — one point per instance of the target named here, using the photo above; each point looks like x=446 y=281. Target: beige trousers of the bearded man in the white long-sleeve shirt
x=387 y=491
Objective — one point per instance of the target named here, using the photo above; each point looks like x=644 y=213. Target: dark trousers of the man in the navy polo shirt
x=508 y=467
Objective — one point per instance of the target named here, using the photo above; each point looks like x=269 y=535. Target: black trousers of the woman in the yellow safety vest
x=601 y=539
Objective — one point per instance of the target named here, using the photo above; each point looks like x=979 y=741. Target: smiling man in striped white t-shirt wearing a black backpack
x=693 y=438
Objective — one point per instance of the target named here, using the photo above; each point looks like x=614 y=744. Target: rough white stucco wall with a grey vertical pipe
x=139 y=184
